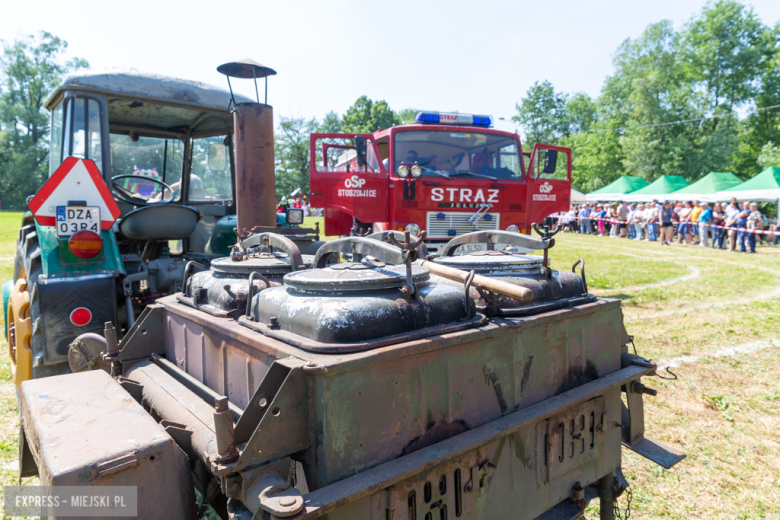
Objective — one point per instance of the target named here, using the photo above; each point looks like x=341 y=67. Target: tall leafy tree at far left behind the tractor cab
x=29 y=69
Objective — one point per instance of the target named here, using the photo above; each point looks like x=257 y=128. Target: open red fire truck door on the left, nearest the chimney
x=339 y=184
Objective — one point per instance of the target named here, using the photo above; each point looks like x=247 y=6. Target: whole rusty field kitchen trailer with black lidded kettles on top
x=391 y=386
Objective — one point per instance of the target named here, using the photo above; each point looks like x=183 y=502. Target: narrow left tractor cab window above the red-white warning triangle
x=82 y=130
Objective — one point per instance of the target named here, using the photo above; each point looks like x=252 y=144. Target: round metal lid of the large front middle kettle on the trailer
x=362 y=276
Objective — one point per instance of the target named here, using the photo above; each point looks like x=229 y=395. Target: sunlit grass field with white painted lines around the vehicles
x=682 y=302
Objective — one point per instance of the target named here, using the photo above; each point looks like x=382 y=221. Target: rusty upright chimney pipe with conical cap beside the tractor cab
x=253 y=141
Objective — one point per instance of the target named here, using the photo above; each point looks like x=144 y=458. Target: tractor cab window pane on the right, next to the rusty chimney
x=210 y=179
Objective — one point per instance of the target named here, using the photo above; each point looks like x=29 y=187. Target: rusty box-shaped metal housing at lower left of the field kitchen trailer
x=85 y=430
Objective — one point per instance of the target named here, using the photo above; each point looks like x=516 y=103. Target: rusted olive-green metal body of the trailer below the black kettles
x=349 y=413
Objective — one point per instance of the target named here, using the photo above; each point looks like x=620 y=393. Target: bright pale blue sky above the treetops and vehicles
x=477 y=57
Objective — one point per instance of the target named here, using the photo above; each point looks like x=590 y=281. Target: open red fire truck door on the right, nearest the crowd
x=549 y=182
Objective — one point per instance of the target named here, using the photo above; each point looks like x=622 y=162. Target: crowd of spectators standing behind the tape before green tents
x=729 y=226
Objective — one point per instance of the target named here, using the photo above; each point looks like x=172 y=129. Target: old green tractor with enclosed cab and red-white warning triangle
x=163 y=150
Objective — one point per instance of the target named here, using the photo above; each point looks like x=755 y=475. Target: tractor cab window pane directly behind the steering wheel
x=137 y=159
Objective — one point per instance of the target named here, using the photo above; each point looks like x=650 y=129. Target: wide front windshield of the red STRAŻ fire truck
x=448 y=153
